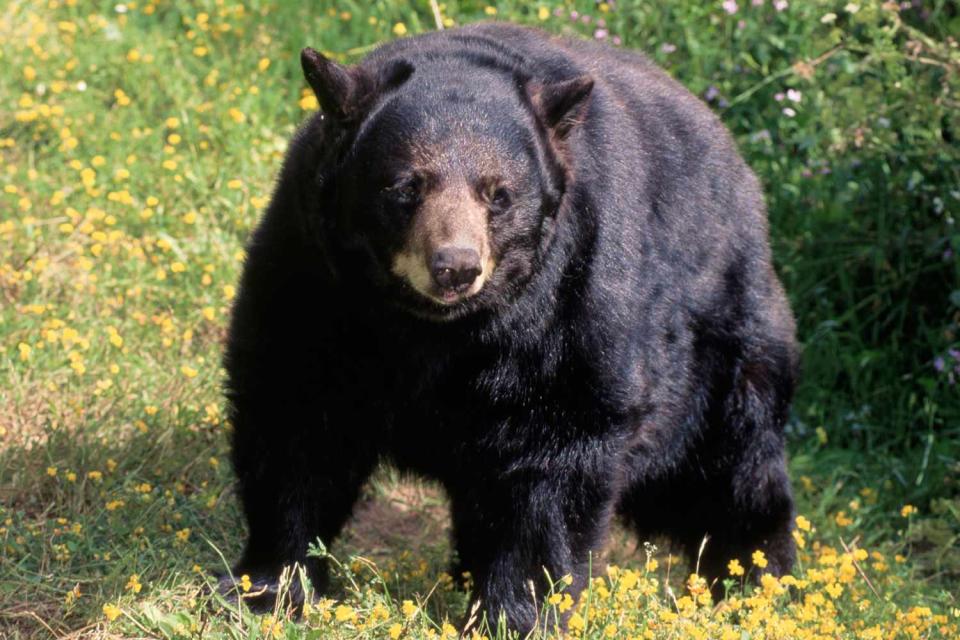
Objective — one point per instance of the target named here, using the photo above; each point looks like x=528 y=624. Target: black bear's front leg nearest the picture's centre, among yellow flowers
x=513 y=531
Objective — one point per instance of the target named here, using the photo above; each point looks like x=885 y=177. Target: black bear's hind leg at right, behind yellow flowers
x=732 y=487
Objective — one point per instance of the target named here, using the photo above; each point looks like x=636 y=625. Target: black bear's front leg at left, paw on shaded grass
x=299 y=478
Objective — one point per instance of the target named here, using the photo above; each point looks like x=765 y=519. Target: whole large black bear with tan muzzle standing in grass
x=536 y=270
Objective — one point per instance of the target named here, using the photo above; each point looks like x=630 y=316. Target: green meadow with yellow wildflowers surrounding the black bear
x=138 y=145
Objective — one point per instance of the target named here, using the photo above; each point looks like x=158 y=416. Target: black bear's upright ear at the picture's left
x=343 y=92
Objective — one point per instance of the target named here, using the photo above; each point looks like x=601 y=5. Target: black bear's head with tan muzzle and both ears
x=447 y=179
